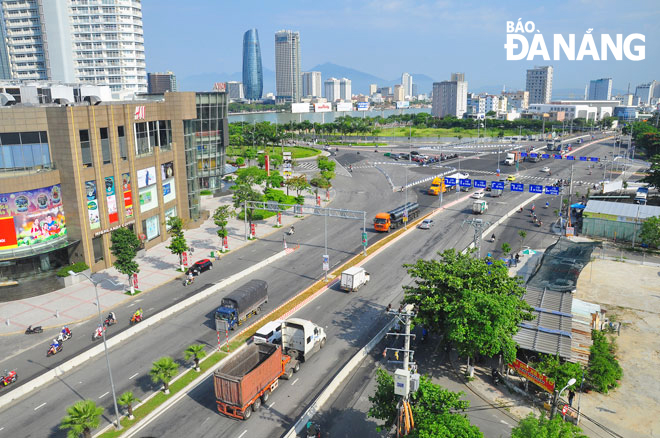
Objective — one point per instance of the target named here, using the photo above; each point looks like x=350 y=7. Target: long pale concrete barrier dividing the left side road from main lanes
x=60 y=370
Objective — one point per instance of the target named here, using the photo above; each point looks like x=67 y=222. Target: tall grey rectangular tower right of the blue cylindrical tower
x=287 y=66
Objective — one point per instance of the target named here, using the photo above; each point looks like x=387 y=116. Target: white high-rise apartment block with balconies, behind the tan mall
x=87 y=41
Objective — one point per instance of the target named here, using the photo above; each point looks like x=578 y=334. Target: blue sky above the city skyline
x=388 y=37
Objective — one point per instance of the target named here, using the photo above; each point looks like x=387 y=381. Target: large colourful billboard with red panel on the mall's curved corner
x=31 y=217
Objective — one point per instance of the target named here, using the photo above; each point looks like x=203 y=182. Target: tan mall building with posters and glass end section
x=70 y=174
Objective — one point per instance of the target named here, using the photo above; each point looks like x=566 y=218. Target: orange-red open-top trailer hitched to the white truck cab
x=246 y=379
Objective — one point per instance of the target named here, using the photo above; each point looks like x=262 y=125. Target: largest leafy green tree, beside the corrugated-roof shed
x=477 y=306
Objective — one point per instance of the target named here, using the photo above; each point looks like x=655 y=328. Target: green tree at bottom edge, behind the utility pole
x=433 y=409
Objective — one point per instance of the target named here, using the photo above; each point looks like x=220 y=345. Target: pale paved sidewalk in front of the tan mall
x=157 y=266
